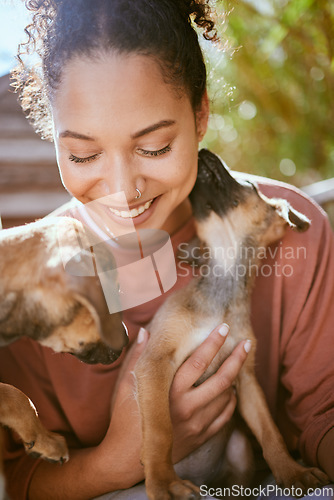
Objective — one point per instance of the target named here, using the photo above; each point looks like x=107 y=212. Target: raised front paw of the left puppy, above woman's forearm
x=50 y=446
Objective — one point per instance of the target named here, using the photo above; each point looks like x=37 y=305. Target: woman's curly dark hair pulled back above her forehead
x=62 y=29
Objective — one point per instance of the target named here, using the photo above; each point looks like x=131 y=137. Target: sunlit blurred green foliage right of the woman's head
x=272 y=88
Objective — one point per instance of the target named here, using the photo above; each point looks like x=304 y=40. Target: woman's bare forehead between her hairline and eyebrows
x=113 y=85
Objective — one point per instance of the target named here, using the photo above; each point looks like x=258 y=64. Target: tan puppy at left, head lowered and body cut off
x=48 y=293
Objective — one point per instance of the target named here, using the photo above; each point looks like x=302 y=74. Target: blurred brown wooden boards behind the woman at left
x=30 y=185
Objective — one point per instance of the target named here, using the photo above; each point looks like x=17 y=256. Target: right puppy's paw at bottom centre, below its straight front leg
x=178 y=489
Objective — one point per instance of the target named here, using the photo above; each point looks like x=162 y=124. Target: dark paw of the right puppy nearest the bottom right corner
x=304 y=479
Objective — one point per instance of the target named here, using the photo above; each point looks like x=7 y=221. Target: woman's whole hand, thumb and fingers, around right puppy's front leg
x=197 y=412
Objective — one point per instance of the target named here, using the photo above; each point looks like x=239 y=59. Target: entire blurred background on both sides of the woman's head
x=271 y=85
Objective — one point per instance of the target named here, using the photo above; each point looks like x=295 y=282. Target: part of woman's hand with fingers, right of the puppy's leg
x=200 y=412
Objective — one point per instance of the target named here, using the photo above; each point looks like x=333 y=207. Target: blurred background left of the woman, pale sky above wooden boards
x=30 y=186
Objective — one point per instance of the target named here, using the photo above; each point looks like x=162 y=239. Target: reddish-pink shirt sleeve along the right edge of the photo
x=307 y=337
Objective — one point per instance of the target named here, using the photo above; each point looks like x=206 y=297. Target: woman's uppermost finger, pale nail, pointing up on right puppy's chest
x=192 y=369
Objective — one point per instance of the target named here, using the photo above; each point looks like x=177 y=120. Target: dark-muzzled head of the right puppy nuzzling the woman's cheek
x=221 y=203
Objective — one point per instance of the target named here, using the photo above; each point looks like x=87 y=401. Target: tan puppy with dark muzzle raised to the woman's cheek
x=230 y=215
